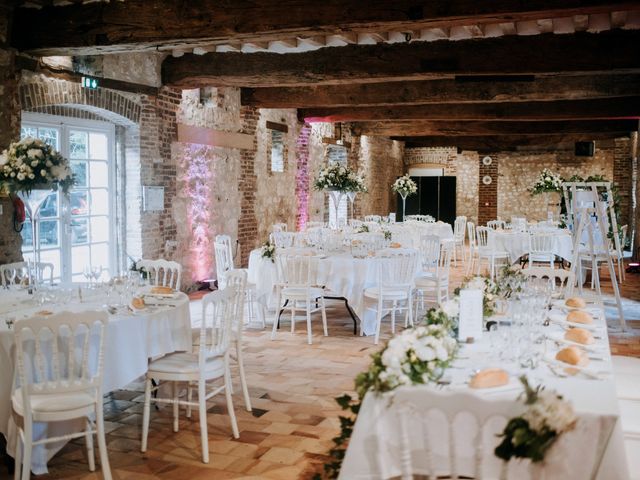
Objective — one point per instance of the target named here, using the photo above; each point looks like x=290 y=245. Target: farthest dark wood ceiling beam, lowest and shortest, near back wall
x=497 y=143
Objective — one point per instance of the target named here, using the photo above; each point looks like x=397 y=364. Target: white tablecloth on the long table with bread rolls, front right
x=598 y=434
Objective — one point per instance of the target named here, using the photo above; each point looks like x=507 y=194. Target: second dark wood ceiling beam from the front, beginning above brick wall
x=609 y=52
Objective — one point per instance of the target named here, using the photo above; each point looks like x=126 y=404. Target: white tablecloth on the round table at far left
x=131 y=339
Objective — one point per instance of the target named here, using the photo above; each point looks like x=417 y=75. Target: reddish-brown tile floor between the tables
x=294 y=418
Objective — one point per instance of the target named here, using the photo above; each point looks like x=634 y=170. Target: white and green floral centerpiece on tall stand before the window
x=30 y=164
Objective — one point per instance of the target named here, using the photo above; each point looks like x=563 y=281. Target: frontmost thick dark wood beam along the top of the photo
x=112 y=27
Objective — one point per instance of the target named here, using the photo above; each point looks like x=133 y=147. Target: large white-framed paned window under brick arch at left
x=78 y=230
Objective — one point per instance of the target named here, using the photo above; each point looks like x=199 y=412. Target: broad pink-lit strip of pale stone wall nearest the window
x=197 y=188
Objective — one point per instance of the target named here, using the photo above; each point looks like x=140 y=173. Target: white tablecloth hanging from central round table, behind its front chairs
x=341 y=274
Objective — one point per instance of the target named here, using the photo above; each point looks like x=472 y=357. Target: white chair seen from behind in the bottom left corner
x=60 y=362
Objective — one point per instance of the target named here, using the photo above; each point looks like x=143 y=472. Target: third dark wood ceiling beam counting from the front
x=423 y=92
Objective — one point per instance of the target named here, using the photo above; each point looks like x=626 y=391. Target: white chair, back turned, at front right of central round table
x=395 y=274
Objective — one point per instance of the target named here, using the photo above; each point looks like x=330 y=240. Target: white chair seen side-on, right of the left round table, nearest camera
x=211 y=362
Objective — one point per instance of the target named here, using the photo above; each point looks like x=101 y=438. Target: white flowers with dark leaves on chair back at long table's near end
x=530 y=435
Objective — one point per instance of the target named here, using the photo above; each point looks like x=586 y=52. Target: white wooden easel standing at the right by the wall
x=582 y=210
